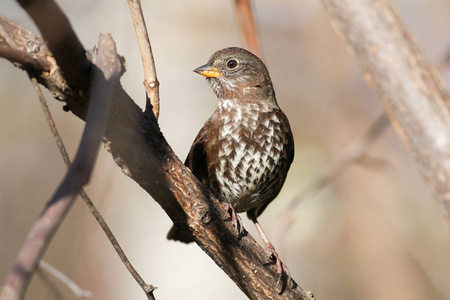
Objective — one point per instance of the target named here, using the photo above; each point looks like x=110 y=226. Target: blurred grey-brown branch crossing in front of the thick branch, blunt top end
x=78 y=175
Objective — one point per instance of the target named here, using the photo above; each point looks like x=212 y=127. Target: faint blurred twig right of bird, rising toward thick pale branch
x=355 y=152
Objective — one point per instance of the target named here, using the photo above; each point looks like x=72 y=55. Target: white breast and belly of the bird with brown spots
x=250 y=147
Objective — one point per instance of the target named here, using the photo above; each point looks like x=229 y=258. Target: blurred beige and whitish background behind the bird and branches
x=374 y=233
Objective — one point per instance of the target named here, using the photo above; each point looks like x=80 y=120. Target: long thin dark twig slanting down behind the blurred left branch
x=148 y=289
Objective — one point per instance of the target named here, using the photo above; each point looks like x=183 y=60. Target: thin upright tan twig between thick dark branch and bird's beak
x=151 y=82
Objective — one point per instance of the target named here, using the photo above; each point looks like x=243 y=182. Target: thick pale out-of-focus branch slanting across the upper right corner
x=407 y=85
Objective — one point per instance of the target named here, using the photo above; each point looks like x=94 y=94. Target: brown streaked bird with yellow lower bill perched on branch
x=244 y=150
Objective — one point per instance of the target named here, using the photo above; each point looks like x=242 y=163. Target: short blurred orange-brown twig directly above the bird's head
x=247 y=27
